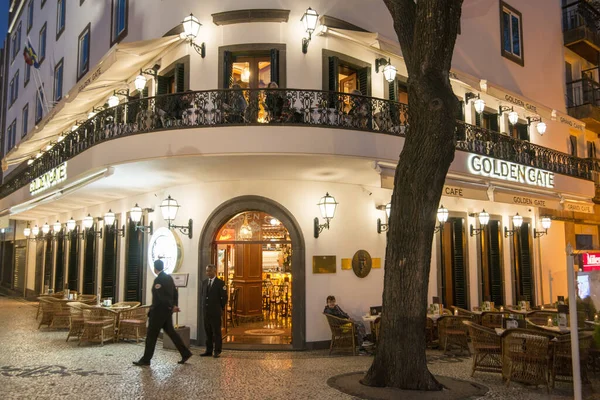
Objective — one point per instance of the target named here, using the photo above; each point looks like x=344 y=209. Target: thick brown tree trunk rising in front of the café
x=427 y=33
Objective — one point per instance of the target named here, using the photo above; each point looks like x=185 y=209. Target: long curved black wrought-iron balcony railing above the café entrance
x=280 y=107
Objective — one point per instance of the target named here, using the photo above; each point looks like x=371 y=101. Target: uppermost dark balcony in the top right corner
x=581 y=29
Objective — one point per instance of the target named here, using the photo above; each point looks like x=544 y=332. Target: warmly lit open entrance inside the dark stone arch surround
x=253 y=254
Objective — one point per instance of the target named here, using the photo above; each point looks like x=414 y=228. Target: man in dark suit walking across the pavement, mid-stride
x=164 y=304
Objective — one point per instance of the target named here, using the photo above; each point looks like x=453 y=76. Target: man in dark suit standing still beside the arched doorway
x=214 y=300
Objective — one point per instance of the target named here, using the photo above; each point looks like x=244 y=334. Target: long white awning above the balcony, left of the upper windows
x=113 y=71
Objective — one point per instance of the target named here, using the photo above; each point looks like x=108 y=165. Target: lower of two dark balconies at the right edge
x=583 y=101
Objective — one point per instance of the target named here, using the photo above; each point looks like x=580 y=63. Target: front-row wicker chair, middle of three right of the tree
x=526 y=357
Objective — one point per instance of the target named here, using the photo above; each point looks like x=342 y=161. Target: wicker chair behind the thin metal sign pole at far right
x=562 y=358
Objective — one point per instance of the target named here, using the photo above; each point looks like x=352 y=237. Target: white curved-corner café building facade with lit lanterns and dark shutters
x=148 y=108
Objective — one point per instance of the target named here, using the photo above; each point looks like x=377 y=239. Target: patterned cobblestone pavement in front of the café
x=39 y=364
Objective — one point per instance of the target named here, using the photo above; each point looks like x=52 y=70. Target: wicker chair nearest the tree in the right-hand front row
x=487 y=348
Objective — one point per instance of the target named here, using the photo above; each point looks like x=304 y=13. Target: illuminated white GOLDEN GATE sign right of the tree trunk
x=499 y=169
